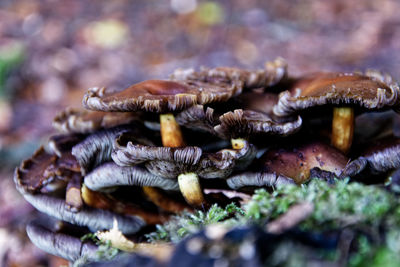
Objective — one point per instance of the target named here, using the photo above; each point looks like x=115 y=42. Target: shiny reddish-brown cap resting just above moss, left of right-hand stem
x=297 y=162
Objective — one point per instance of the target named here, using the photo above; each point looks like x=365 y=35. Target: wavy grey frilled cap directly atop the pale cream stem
x=169 y=162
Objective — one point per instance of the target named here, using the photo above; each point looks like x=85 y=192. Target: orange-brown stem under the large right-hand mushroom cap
x=342 y=128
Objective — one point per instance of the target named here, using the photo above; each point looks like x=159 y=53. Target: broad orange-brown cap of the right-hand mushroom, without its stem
x=369 y=91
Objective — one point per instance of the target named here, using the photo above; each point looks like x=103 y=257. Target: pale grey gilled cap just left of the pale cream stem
x=110 y=175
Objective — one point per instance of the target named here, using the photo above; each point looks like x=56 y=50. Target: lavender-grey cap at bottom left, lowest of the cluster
x=59 y=244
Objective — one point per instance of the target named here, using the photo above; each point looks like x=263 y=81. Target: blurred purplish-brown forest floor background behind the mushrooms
x=52 y=51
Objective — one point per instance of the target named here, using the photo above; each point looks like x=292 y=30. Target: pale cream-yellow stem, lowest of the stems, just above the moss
x=190 y=188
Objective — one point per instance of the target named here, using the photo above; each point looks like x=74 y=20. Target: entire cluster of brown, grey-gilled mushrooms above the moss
x=117 y=162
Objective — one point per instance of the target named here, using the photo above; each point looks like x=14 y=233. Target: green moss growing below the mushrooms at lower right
x=353 y=206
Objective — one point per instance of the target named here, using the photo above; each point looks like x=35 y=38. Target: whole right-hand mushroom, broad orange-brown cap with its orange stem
x=345 y=92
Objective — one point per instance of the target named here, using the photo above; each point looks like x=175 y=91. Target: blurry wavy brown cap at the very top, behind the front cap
x=274 y=71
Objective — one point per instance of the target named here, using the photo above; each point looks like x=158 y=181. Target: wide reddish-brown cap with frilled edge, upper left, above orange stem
x=159 y=96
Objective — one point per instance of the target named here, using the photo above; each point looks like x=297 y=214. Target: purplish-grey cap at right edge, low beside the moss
x=383 y=155
